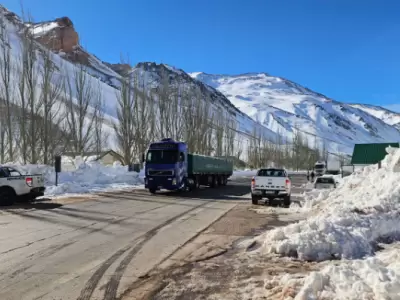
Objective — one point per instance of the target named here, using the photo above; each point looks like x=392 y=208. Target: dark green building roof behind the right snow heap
x=368 y=154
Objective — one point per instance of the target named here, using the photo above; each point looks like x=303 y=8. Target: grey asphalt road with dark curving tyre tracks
x=96 y=249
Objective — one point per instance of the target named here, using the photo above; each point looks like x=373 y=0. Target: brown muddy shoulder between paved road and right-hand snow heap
x=215 y=245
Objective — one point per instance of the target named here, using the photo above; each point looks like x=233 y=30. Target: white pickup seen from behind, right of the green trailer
x=271 y=184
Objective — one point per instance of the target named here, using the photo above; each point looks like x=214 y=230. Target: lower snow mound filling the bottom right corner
x=371 y=278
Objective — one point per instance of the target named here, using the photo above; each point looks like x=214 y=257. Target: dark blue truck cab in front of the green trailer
x=166 y=165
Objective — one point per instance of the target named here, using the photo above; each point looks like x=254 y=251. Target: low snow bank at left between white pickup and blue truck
x=88 y=177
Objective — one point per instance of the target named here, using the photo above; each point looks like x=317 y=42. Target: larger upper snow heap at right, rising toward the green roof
x=347 y=222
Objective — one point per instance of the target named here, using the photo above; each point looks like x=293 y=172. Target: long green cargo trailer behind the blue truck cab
x=207 y=165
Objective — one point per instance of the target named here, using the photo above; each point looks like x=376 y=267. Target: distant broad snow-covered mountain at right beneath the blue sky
x=282 y=105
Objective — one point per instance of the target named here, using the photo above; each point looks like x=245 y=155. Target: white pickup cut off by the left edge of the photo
x=13 y=184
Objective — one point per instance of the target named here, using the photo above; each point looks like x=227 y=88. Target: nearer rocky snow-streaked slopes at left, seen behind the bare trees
x=69 y=58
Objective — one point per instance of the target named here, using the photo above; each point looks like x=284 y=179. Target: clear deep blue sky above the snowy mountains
x=346 y=49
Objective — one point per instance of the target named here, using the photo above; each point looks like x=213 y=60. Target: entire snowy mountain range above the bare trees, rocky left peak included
x=274 y=105
